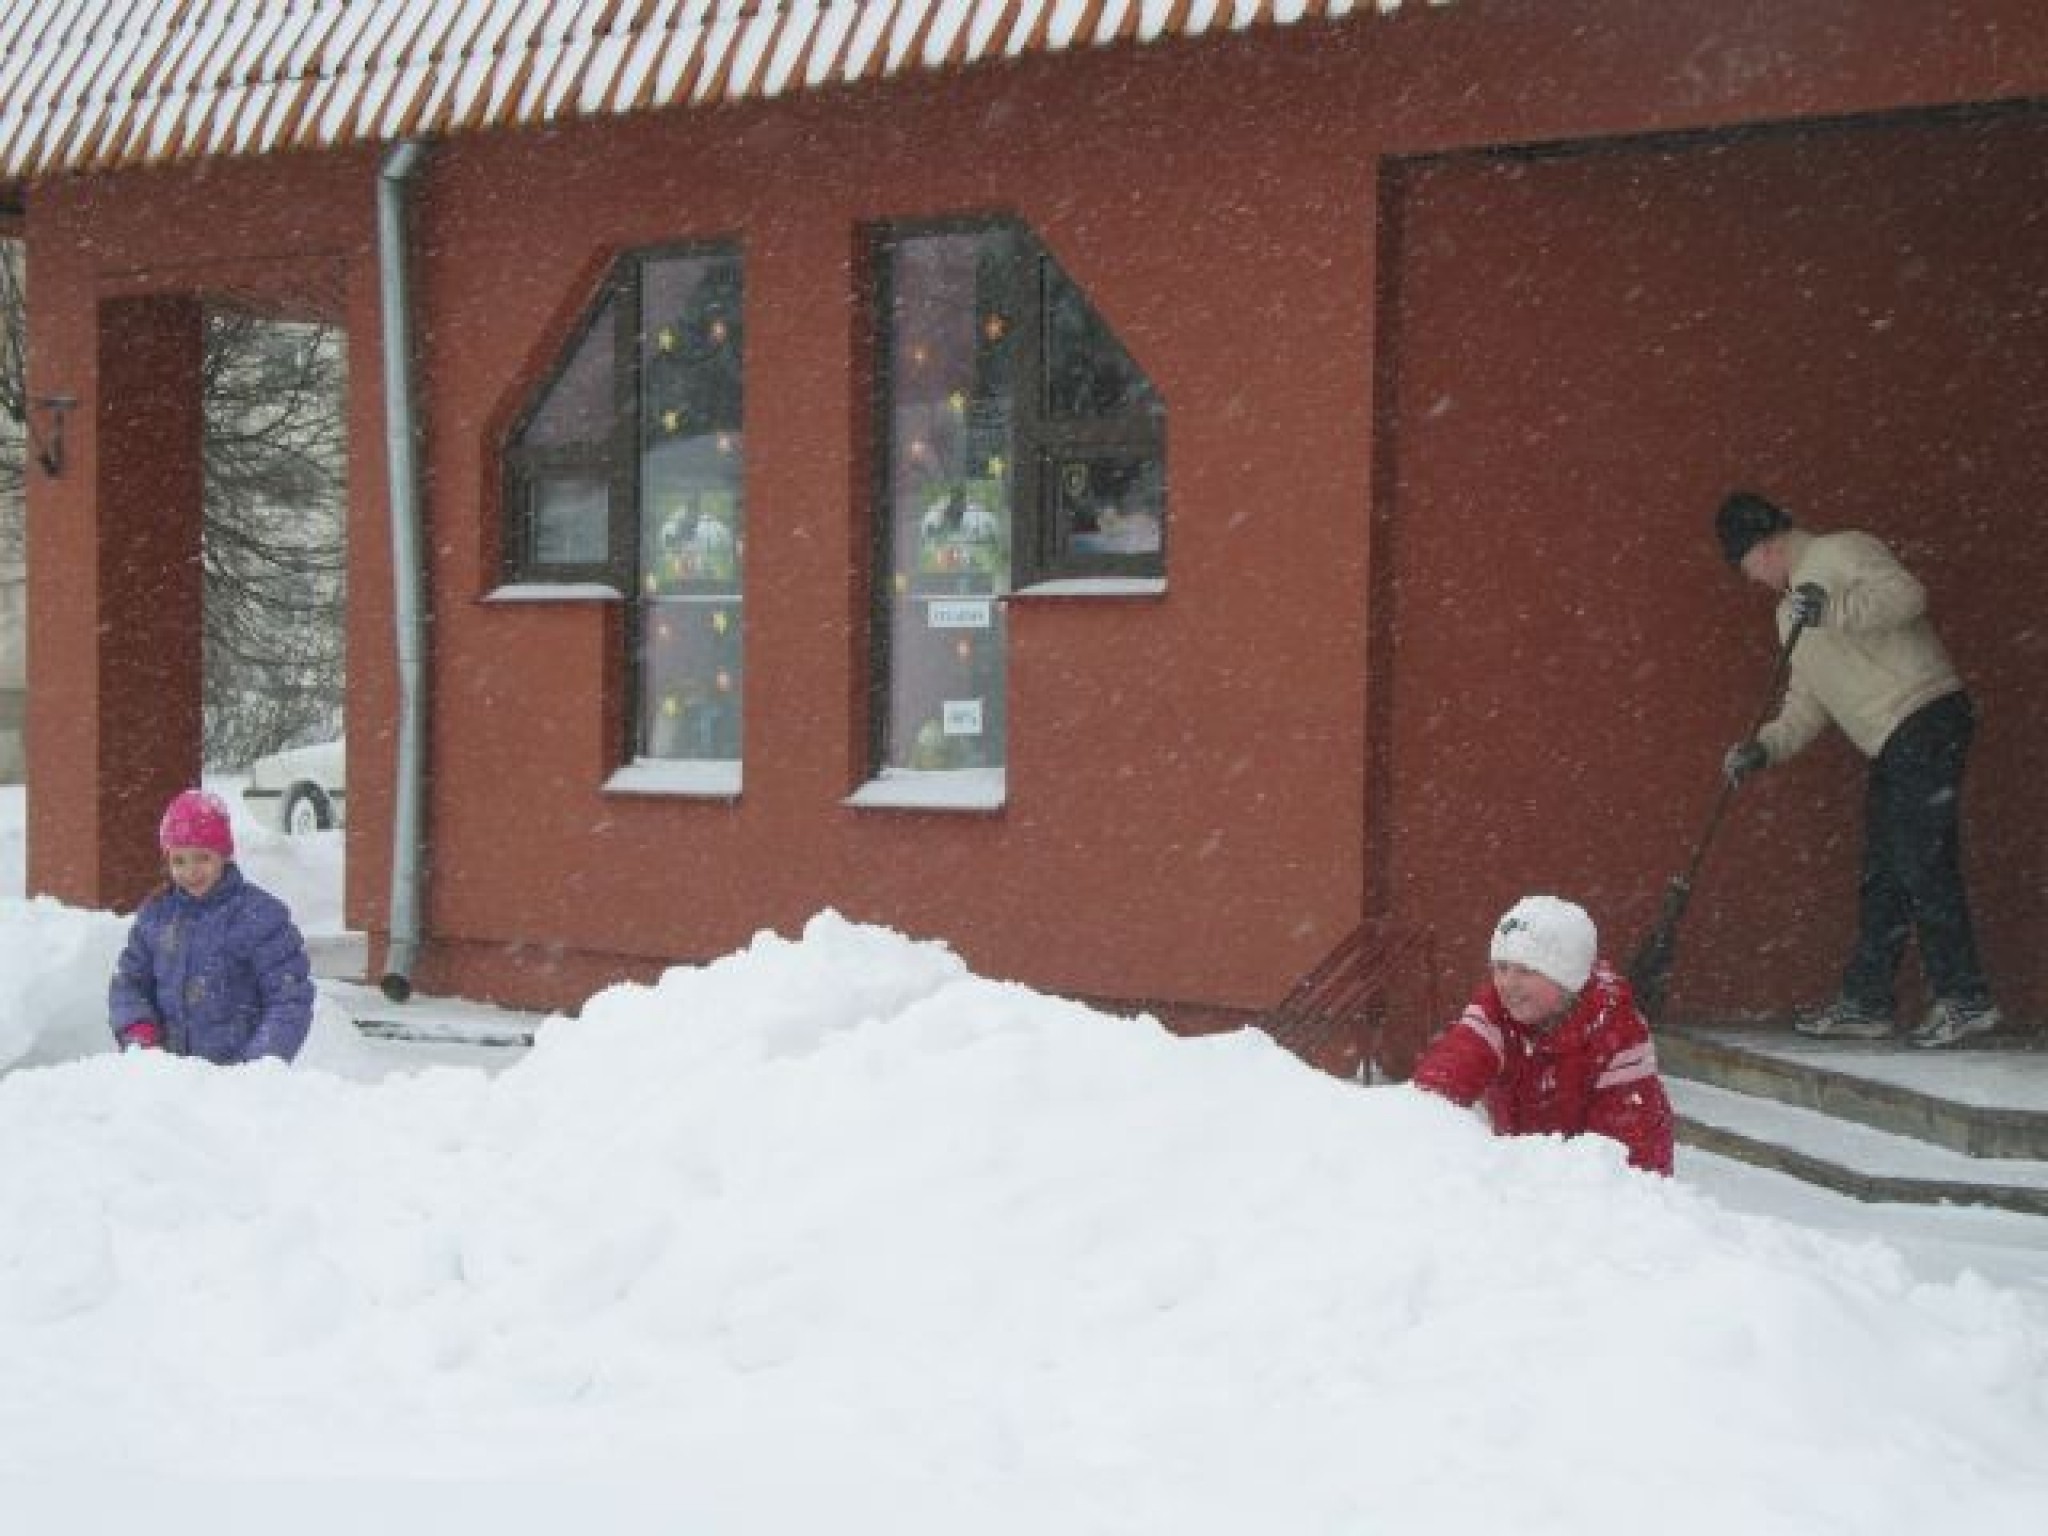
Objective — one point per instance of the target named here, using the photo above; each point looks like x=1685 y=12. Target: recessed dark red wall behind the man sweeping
x=1594 y=349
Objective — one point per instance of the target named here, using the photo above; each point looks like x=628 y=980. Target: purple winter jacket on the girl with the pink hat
x=224 y=976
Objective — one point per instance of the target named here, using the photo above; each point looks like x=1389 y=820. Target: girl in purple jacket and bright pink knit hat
x=214 y=966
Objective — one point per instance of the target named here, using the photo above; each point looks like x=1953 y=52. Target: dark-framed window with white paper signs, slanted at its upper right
x=1019 y=445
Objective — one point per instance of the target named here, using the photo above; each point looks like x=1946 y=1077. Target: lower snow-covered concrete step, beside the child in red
x=1850 y=1158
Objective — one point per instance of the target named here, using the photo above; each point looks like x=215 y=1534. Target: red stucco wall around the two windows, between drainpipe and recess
x=1187 y=773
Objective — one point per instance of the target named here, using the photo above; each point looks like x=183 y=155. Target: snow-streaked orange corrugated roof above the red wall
x=91 y=85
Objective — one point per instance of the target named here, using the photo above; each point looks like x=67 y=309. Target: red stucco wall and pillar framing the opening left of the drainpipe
x=120 y=269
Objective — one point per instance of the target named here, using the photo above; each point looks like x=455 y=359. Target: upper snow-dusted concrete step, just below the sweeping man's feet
x=1979 y=1103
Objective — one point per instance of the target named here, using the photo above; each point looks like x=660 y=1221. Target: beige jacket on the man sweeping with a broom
x=1871 y=663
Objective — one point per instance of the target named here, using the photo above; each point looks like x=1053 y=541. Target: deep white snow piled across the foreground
x=837 y=1236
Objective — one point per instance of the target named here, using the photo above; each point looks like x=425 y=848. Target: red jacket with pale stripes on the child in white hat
x=1594 y=1072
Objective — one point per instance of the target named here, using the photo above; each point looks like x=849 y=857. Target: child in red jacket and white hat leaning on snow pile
x=1553 y=1043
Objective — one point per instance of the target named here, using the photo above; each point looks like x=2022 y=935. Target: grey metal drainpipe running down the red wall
x=407 y=566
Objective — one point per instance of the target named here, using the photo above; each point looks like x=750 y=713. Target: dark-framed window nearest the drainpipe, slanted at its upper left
x=628 y=472
